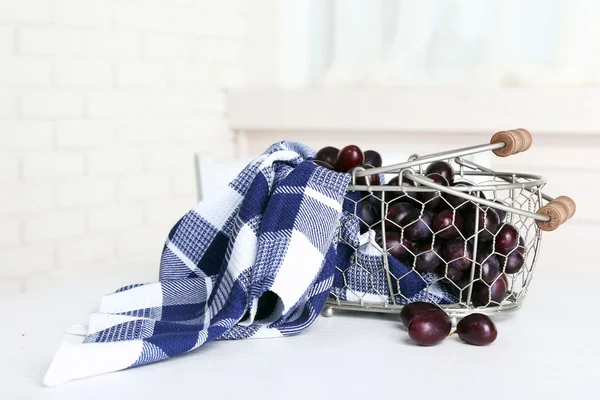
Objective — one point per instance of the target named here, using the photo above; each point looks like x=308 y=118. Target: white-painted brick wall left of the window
x=102 y=106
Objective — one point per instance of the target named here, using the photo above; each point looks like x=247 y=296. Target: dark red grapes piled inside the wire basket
x=435 y=232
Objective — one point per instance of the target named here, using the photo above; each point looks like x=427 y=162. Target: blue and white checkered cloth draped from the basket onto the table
x=258 y=260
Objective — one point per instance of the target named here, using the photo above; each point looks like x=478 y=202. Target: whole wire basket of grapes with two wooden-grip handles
x=467 y=246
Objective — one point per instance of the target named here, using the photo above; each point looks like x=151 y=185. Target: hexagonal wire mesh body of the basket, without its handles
x=374 y=278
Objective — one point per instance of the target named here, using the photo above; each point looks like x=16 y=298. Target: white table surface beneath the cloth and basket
x=547 y=350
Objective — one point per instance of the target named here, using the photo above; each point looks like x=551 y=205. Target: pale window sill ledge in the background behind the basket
x=542 y=111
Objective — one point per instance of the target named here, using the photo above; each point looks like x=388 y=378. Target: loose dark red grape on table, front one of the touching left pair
x=429 y=328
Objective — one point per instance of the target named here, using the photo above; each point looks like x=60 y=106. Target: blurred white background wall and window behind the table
x=105 y=104
